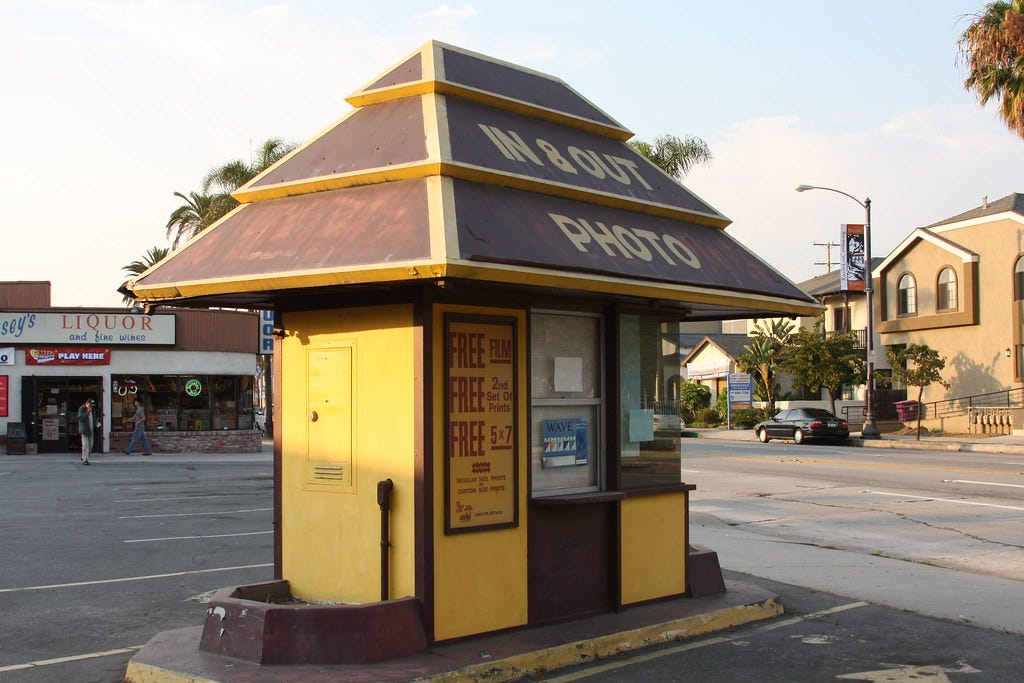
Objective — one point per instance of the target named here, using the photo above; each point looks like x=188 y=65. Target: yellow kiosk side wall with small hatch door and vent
x=349 y=408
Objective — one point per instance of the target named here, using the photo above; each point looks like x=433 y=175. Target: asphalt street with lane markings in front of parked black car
x=956 y=510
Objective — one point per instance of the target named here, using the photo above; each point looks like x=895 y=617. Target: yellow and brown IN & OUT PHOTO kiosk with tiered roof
x=475 y=279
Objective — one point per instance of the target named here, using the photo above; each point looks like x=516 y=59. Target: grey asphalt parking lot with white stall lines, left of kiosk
x=99 y=560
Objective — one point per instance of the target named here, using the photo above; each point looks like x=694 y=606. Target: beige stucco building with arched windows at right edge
x=958 y=286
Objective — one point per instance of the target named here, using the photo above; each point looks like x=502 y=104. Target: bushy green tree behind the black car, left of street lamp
x=816 y=361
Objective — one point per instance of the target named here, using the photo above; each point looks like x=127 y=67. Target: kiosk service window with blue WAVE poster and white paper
x=567 y=448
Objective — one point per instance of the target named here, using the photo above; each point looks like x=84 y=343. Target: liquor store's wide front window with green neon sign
x=184 y=403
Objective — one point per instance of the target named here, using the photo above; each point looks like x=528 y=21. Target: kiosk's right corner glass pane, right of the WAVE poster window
x=651 y=429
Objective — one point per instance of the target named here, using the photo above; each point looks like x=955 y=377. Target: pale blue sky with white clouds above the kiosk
x=111 y=107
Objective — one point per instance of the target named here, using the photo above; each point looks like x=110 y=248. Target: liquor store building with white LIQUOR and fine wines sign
x=193 y=370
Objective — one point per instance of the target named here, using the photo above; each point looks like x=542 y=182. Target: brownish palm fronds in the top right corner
x=993 y=50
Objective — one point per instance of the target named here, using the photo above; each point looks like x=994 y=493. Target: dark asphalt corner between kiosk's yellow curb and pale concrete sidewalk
x=822 y=637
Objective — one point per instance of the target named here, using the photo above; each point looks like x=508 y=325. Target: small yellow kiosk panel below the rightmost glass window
x=654 y=547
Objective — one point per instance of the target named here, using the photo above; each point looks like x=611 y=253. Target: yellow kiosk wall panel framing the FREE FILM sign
x=480 y=577
